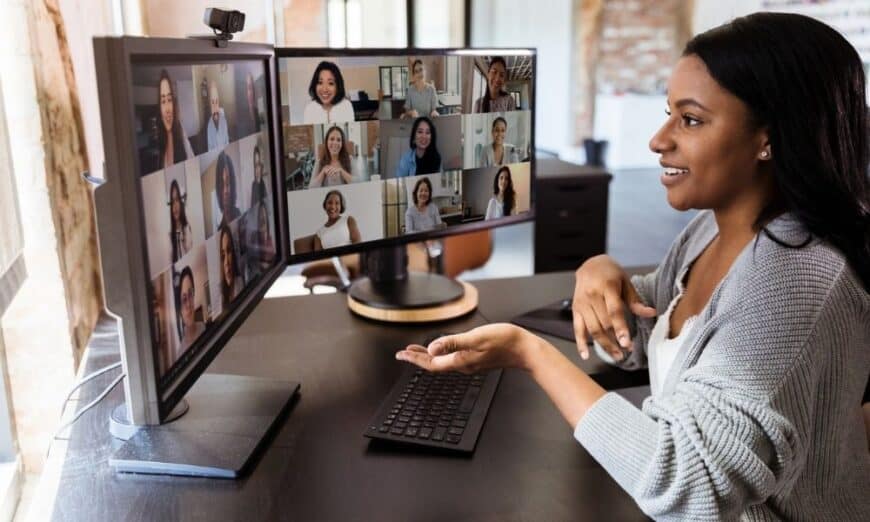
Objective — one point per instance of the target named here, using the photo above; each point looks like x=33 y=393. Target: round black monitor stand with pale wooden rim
x=389 y=292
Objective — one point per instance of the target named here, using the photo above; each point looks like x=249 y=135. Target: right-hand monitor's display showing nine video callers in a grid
x=384 y=147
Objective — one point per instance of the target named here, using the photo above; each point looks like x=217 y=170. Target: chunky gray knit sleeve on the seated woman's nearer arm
x=734 y=429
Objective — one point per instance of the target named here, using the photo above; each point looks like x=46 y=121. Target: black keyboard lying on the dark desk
x=440 y=410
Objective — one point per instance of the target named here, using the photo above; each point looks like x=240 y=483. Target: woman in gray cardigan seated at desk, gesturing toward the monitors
x=758 y=357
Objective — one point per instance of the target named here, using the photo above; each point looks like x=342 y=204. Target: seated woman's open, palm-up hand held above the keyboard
x=499 y=345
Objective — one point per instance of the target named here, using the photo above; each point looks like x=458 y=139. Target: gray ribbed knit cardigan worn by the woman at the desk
x=762 y=420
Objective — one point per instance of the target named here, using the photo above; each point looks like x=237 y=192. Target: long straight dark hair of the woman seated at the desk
x=805 y=83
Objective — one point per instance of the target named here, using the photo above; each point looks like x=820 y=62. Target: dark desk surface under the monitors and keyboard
x=527 y=465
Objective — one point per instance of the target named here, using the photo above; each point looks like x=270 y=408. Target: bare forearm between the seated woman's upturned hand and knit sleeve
x=571 y=390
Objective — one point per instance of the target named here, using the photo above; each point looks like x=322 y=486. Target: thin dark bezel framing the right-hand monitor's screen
x=316 y=52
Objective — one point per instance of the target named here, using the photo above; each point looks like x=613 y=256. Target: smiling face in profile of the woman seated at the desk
x=708 y=146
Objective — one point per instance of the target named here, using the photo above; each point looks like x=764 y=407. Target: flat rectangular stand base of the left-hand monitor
x=217 y=430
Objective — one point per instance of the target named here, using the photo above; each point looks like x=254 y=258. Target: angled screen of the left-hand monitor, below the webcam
x=204 y=164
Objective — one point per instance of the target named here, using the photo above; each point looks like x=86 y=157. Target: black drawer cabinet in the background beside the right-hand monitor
x=571 y=214
